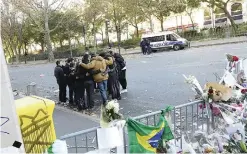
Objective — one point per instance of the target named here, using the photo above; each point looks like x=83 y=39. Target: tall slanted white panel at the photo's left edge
x=10 y=129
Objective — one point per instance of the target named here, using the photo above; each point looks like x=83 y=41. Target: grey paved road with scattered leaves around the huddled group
x=153 y=81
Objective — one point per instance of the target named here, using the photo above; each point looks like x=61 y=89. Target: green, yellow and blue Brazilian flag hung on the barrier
x=146 y=139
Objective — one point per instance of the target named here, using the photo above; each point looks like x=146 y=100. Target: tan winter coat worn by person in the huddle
x=99 y=63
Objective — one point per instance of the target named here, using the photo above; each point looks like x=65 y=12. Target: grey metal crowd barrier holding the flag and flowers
x=186 y=119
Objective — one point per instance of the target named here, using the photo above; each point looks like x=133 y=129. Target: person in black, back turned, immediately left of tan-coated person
x=88 y=83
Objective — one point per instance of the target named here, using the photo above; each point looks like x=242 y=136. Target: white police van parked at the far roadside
x=167 y=39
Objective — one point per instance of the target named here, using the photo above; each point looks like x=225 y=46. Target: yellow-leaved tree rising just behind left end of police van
x=134 y=14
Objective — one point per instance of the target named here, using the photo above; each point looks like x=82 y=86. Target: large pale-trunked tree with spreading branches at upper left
x=40 y=12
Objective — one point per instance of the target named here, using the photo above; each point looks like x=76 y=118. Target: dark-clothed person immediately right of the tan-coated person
x=113 y=83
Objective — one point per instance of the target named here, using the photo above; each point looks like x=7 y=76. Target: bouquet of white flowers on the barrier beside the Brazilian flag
x=110 y=112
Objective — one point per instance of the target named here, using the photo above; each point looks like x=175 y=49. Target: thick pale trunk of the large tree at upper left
x=47 y=33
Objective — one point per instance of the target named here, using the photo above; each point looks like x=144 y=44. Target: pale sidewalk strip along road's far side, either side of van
x=197 y=44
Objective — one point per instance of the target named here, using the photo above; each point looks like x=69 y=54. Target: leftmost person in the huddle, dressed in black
x=59 y=74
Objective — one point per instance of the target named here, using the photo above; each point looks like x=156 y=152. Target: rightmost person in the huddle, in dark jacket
x=121 y=68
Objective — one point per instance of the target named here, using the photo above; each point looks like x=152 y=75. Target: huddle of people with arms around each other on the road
x=104 y=72
